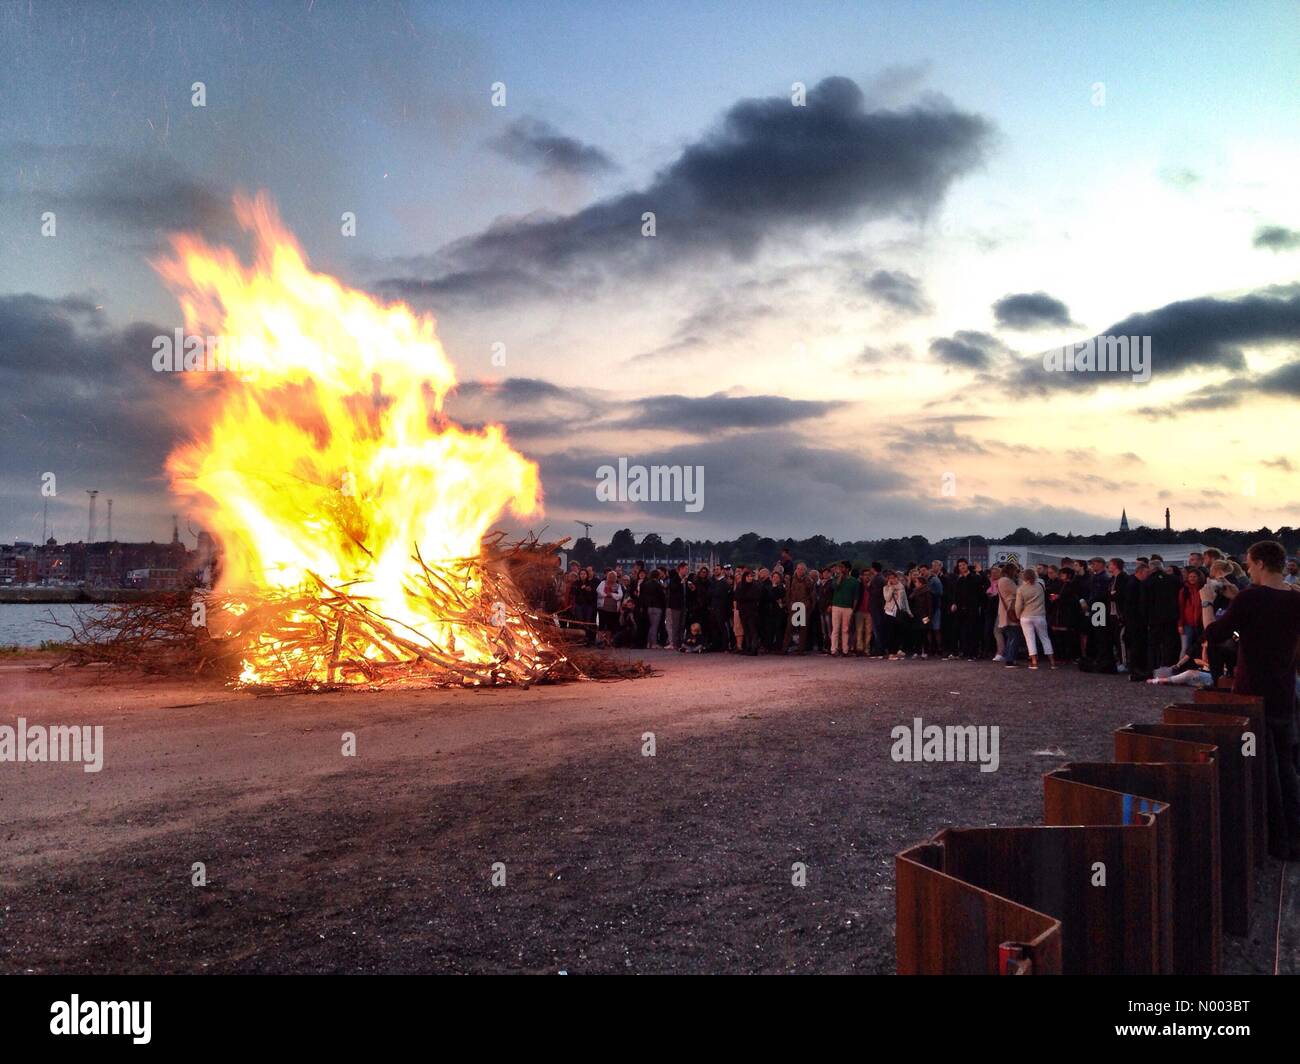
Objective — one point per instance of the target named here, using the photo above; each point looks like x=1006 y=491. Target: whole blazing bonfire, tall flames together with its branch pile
x=353 y=513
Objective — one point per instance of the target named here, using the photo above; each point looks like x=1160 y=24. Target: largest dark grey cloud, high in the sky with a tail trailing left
x=769 y=168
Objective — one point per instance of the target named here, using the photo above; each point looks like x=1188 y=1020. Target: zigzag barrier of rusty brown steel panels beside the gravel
x=1177 y=824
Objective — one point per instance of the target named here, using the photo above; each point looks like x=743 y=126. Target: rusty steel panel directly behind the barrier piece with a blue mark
x=1189 y=790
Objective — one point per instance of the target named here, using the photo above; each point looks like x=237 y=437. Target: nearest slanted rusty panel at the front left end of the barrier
x=947 y=927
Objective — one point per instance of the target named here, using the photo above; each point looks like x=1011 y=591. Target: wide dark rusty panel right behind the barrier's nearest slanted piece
x=1051 y=872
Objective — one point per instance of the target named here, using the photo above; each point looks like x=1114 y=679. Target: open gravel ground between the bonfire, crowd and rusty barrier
x=614 y=862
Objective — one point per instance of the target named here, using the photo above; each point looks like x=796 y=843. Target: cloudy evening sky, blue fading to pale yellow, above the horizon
x=872 y=223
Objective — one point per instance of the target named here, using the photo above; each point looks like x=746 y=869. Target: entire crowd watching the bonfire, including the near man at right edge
x=1195 y=624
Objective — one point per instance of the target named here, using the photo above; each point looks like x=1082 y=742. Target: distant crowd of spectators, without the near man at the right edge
x=1091 y=612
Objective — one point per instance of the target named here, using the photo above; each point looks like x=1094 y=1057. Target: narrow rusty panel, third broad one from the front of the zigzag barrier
x=1237 y=803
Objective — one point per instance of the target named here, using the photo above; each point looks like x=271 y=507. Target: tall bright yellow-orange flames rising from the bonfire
x=328 y=452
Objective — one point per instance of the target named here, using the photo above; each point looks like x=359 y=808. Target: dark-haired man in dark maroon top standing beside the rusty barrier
x=1266 y=618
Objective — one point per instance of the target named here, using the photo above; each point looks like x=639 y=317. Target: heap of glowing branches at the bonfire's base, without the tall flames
x=324 y=638
